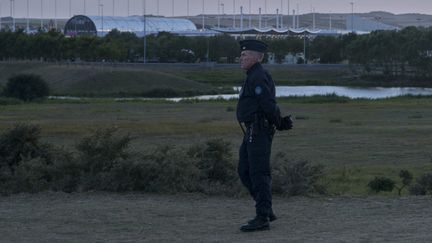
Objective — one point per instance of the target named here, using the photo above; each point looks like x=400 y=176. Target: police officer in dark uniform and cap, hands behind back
x=258 y=115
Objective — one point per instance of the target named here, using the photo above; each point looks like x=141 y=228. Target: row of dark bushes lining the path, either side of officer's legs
x=103 y=162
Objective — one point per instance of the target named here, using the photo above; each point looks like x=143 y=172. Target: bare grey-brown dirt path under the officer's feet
x=95 y=217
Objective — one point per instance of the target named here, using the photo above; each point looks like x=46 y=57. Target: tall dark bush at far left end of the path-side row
x=25 y=162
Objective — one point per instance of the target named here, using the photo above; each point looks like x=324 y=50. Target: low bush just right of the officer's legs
x=297 y=177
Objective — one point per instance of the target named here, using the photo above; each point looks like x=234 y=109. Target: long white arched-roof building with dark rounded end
x=101 y=25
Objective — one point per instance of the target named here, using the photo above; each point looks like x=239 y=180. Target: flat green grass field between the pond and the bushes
x=356 y=140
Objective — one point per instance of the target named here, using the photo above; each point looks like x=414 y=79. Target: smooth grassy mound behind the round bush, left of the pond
x=106 y=81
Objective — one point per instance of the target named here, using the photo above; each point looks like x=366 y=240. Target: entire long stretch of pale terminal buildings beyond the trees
x=80 y=25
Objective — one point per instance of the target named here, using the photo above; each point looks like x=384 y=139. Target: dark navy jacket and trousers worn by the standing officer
x=258 y=111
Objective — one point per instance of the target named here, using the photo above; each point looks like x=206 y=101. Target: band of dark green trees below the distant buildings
x=390 y=53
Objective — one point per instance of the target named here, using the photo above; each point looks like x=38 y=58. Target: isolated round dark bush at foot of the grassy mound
x=26 y=87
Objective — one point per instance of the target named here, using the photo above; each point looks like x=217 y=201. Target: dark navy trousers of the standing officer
x=254 y=167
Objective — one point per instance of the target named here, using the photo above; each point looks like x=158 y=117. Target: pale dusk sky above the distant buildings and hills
x=65 y=8
